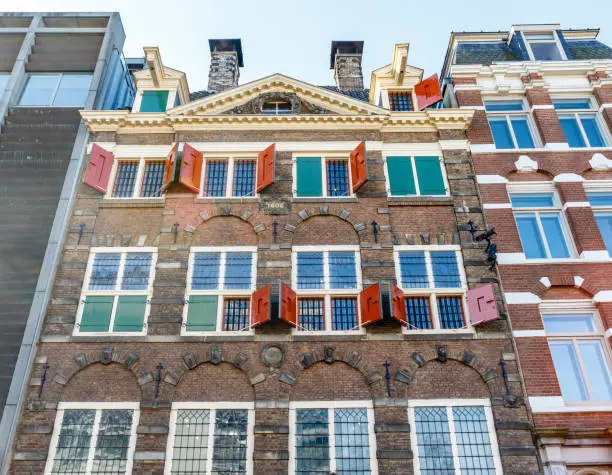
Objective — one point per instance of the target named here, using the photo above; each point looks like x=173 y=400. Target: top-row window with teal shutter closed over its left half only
x=327 y=176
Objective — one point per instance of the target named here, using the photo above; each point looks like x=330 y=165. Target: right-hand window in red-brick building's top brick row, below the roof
x=580 y=122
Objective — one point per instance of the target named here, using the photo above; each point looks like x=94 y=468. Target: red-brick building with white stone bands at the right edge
x=541 y=147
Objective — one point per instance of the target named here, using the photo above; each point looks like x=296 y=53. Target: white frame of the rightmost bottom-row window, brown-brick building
x=449 y=404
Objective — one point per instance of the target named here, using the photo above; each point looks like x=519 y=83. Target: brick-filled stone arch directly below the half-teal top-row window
x=307 y=221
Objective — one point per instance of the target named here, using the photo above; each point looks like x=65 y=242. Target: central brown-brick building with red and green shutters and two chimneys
x=276 y=277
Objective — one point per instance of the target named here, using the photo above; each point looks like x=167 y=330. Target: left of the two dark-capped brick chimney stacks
x=225 y=63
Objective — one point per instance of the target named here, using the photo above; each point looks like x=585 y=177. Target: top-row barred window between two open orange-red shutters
x=229 y=177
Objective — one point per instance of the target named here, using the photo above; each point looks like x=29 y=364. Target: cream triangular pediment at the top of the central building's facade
x=245 y=99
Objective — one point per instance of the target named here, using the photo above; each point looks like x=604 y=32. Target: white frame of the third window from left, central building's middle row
x=326 y=293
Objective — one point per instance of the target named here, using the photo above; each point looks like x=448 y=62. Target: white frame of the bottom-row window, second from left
x=212 y=407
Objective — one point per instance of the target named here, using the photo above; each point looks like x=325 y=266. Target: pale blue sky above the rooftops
x=294 y=37
